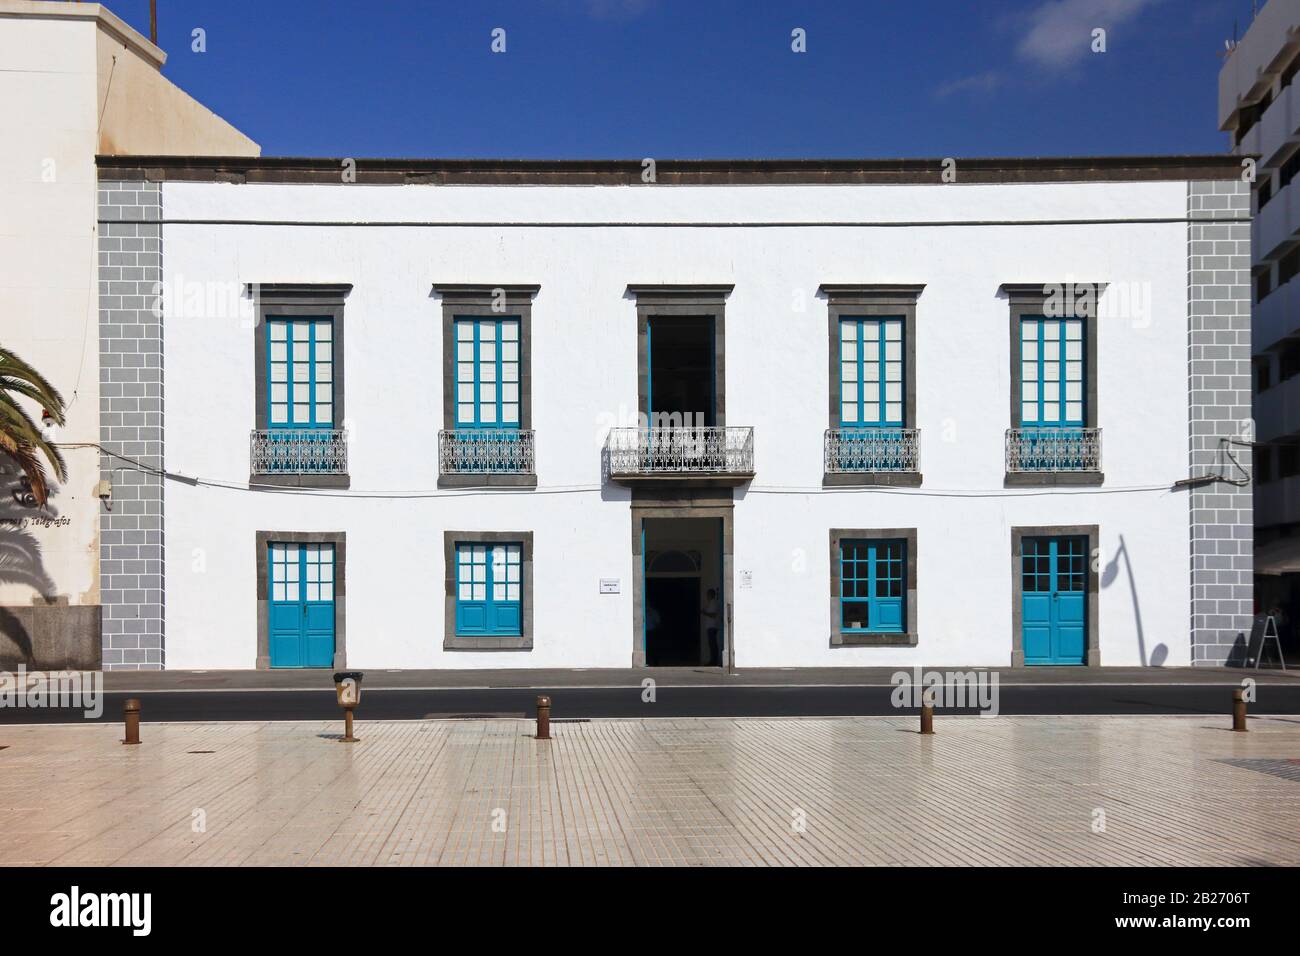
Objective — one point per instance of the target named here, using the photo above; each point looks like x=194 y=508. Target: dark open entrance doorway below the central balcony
x=684 y=602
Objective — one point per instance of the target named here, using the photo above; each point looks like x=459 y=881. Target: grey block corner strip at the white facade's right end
x=1219 y=383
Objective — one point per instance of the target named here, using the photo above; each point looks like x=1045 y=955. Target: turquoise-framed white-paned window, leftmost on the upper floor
x=301 y=356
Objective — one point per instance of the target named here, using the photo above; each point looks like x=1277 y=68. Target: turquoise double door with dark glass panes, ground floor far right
x=1055 y=600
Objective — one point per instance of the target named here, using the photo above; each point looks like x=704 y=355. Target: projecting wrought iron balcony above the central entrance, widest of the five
x=649 y=455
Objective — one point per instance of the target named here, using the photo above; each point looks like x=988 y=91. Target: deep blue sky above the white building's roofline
x=705 y=79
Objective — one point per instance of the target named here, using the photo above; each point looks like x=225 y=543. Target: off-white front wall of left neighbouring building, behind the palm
x=49 y=310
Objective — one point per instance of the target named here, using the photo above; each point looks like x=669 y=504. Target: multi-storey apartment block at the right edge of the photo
x=1259 y=106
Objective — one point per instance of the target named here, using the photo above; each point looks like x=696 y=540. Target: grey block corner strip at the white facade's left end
x=132 y=413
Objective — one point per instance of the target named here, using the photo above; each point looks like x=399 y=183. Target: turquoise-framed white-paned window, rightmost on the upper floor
x=1052 y=373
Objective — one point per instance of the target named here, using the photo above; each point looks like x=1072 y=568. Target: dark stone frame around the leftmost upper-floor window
x=298 y=300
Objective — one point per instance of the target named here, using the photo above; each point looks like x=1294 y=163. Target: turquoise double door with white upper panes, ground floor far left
x=302 y=605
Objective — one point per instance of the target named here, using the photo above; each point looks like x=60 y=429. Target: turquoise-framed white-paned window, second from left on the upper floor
x=488 y=373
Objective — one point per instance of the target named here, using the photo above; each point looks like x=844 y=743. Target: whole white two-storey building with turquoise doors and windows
x=473 y=414
